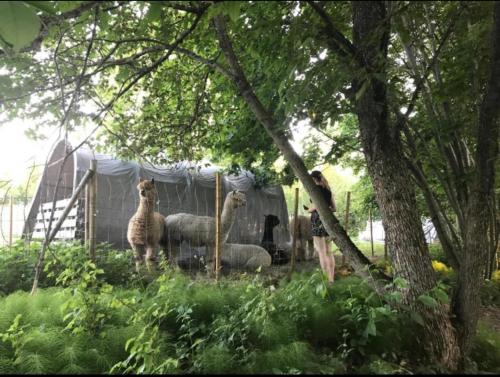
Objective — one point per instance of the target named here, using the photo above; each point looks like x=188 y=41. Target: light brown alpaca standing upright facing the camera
x=146 y=229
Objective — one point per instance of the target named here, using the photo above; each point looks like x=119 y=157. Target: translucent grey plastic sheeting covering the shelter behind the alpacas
x=183 y=187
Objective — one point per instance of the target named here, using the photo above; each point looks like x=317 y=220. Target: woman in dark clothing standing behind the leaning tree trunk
x=321 y=244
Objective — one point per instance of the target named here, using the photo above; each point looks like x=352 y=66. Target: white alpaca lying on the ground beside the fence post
x=248 y=257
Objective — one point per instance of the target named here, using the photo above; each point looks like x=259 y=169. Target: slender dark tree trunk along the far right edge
x=466 y=301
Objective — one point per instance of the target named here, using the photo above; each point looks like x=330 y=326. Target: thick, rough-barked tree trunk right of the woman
x=395 y=194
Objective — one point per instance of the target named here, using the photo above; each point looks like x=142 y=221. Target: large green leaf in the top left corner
x=19 y=24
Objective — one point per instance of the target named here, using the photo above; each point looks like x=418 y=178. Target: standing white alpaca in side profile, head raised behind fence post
x=200 y=230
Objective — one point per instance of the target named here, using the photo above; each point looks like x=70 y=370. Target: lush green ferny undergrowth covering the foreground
x=100 y=318
